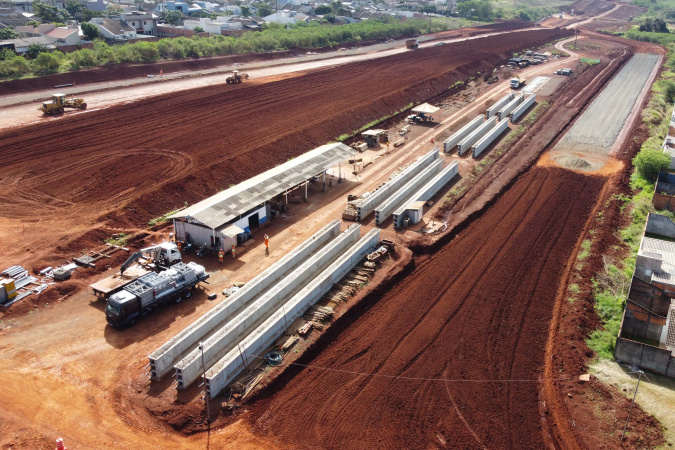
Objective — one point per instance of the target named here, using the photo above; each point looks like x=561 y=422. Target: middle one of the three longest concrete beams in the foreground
x=228 y=335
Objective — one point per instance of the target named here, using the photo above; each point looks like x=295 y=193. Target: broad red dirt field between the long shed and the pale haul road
x=127 y=164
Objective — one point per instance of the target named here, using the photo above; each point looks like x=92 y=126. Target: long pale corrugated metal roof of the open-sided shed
x=227 y=205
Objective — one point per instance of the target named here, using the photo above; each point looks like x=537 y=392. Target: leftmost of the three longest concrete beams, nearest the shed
x=163 y=359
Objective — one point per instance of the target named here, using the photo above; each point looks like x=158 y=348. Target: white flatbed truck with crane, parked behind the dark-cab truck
x=152 y=259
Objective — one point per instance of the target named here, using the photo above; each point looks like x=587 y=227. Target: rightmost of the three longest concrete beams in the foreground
x=250 y=347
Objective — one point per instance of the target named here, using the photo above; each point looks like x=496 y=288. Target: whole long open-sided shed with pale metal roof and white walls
x=221 y=220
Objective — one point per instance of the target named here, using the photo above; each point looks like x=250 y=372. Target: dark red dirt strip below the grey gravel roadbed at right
x=476 y=311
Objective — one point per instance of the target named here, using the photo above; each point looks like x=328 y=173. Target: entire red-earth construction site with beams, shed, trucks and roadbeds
x=363 y=249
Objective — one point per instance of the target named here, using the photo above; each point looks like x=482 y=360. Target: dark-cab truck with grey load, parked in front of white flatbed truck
x=152 y=290
